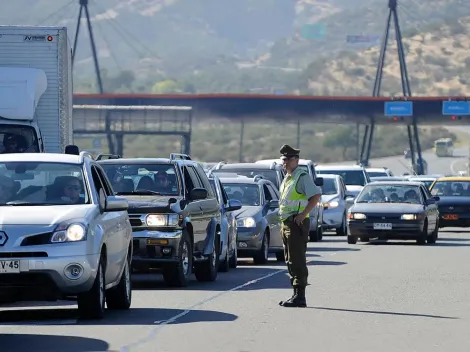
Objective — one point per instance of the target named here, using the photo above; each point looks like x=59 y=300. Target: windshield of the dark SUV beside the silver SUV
x=142 y=179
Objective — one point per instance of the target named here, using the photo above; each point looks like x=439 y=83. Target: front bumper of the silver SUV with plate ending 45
x=45 y=277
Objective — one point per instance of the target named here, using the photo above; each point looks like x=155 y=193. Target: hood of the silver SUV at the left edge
x=43 y=215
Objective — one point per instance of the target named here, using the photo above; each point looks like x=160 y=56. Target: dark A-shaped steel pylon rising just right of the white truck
x=84 y=8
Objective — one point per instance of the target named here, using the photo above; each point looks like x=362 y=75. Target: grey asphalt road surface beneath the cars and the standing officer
x=386 y=297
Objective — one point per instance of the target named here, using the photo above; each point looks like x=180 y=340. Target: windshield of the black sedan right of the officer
x=384 y=193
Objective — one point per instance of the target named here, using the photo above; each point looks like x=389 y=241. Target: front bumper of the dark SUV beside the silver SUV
x=152 y=248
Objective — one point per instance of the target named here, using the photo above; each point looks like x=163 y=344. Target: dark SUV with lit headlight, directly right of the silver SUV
x=174 y=213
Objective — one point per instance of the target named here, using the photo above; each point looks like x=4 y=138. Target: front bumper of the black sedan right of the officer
x=400 y=230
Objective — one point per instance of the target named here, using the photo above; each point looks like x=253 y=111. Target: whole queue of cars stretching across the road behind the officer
x=92 y=222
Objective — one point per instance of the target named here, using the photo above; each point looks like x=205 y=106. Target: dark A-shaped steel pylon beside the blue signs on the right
x=413 y=135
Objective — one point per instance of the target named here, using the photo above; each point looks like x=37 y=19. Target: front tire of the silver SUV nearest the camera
x=91 y=304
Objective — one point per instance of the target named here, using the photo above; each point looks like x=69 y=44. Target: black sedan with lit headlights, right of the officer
x=396 y=210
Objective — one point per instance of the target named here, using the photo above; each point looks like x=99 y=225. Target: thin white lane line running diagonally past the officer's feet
x=161 y=323
